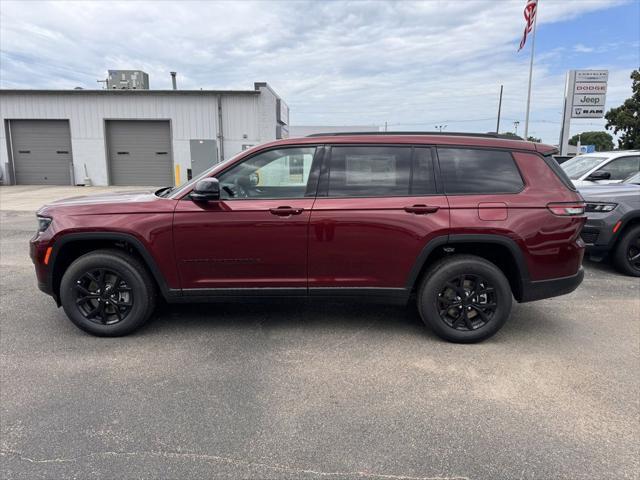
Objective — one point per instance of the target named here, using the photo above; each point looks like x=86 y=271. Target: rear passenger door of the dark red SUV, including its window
x=377 y=207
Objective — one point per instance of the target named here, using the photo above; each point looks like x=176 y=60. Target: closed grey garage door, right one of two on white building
x=139 y=152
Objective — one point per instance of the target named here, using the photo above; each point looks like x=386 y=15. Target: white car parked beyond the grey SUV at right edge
x=602 y=167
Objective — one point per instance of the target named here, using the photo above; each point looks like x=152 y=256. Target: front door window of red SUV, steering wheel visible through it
x=281 y=173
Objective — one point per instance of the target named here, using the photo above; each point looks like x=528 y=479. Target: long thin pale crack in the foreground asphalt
x=228 y=460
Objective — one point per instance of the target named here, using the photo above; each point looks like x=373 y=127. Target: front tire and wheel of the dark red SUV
x=121 y=306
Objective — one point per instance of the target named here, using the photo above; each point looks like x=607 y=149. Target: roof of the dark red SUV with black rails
x=419 y=138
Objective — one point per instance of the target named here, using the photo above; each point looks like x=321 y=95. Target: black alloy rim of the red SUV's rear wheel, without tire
x=467 y=302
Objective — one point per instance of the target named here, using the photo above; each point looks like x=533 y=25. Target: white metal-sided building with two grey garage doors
x=130 y=137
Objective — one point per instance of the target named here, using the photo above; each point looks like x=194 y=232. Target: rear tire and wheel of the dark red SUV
x=442 y=299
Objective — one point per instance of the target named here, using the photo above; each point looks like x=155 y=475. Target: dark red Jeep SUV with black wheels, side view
x=462 y=223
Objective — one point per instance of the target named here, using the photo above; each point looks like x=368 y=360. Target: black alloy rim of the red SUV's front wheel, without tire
x=103 y=297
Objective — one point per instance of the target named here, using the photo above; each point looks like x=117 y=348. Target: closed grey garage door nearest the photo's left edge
x=41 y=151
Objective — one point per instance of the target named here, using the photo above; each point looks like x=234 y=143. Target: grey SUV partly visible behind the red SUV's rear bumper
x=613 y=223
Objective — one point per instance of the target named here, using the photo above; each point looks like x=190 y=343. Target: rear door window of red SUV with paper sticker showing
x=369 y=171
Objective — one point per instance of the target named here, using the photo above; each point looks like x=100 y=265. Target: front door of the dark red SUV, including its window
x=255 y=237
